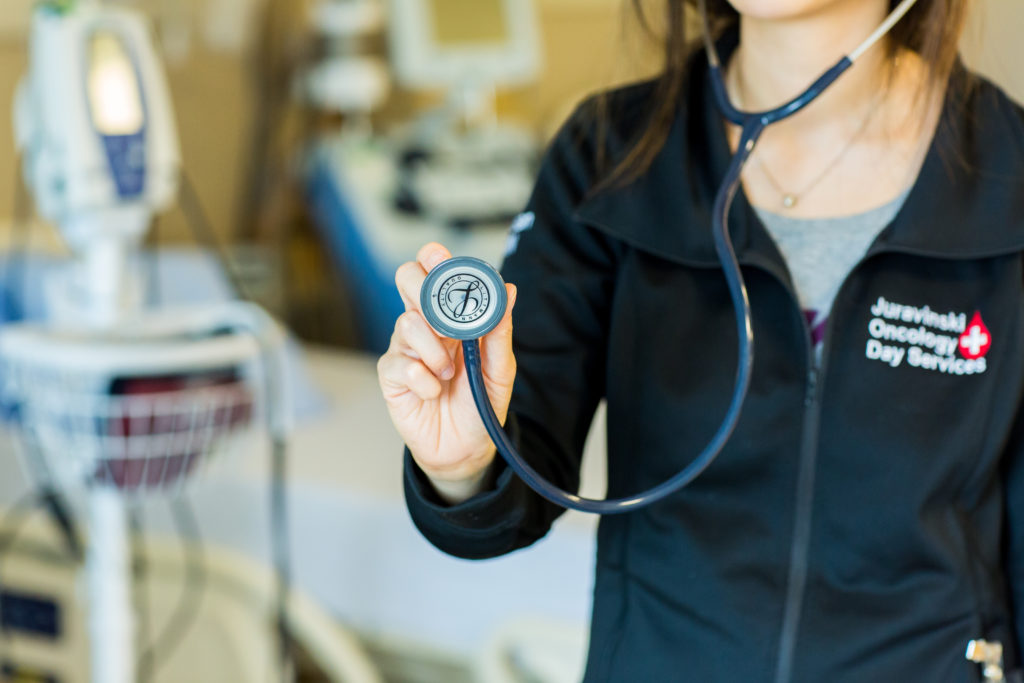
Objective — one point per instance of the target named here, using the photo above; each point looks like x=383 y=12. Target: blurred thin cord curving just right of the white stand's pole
x=193 y=590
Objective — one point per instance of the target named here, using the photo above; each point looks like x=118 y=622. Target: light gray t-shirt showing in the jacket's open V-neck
x=821 y=252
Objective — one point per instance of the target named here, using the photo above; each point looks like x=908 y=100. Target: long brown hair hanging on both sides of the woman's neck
x=932 y=29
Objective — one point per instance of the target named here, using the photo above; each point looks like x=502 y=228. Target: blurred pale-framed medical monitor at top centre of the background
x=464 y=44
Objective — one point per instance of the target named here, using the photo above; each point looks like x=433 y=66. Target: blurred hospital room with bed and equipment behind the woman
x=190 y=492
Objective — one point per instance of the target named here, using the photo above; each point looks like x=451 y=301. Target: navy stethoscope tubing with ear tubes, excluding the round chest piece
x=752 y=126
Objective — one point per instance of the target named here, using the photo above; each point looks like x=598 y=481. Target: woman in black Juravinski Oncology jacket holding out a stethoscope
x=866 y=523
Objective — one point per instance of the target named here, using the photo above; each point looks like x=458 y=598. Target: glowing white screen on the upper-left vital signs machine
x=114 y=91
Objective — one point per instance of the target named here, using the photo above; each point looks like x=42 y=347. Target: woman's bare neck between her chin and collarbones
x=778 y=59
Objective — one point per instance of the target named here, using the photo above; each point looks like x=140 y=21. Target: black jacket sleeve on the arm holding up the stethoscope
x=566 y=276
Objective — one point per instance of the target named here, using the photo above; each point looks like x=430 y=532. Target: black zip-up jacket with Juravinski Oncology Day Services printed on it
x=867 y=520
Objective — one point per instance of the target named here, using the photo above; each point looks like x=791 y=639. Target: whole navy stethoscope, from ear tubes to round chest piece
x=465 y=298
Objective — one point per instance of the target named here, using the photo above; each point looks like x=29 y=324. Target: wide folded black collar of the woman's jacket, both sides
x=968 y=201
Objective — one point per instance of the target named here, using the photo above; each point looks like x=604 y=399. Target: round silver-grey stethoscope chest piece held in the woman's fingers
x=463 y=298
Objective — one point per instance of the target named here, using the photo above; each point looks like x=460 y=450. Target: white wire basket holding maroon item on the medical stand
x=136 y=415
